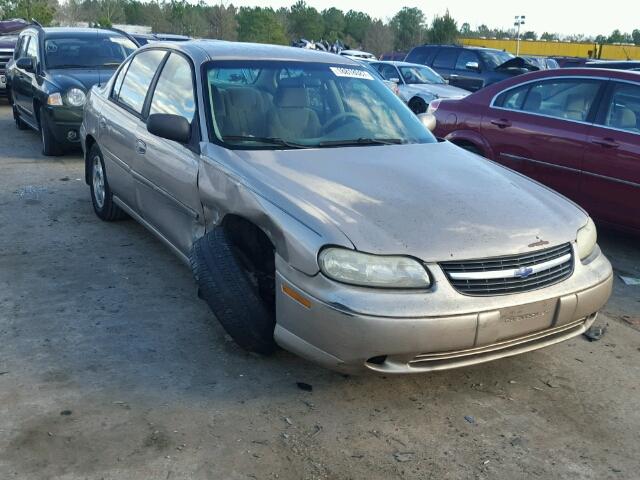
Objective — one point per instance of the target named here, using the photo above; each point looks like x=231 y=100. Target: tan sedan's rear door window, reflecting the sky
x=138 y=79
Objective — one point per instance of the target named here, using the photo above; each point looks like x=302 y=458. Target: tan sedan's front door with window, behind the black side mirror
x=165 y=172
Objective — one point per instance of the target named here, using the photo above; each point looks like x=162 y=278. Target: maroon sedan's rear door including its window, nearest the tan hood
x=540 y=129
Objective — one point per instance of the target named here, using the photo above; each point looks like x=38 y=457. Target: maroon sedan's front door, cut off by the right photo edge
x=610 y=184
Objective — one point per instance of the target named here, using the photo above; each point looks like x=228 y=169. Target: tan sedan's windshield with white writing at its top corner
x=279 y=104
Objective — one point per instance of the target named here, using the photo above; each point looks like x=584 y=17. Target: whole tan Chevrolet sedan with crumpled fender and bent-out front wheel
x=319 y=214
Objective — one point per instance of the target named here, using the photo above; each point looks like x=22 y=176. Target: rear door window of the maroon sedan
x=569 y=99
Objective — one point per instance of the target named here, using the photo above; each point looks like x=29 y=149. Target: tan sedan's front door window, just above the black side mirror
x=174 y=91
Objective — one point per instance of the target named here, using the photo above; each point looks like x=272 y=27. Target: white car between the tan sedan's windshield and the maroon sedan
x=418 y=85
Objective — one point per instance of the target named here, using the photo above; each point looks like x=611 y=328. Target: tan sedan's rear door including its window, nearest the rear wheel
x=120 y=118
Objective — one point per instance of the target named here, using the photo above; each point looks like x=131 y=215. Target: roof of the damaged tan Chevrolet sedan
x=204 y=50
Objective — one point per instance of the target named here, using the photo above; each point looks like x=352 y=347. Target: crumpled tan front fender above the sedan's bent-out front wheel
x=223 y=192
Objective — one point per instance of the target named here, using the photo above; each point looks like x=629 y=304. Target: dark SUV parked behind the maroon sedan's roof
x=470 y=68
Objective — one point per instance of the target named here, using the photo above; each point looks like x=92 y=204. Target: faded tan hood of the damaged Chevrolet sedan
x=432 y=201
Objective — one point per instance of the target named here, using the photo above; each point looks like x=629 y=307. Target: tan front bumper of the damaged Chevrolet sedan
x=353 y=329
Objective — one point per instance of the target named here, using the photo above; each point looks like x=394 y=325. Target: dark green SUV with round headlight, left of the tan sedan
x=52 y=70
